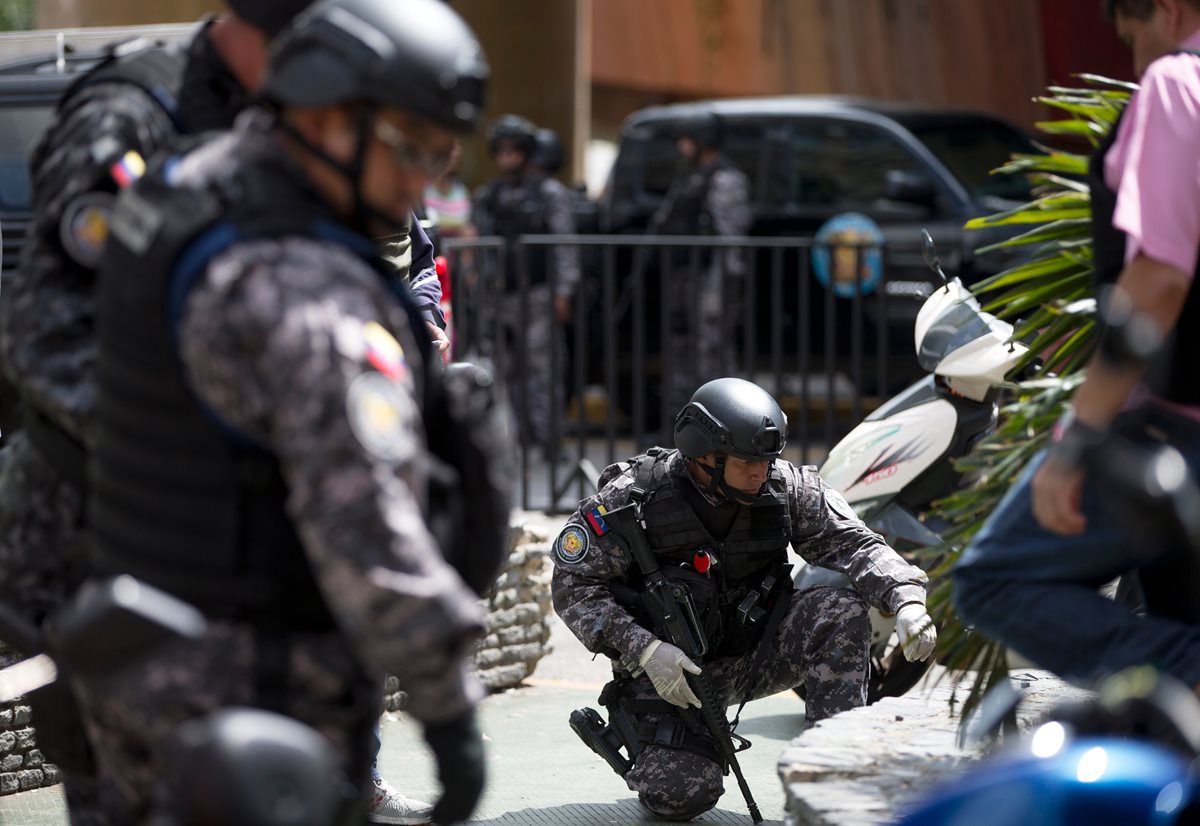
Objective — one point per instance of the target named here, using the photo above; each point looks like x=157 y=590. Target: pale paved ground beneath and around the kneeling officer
x=541 y=773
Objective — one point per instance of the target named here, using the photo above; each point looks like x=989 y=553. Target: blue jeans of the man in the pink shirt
x=1036 y=591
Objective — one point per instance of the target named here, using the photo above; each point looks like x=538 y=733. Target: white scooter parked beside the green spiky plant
x=901 y=459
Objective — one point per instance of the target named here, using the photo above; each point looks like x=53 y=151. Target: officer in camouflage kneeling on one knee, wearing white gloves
x=719 y=514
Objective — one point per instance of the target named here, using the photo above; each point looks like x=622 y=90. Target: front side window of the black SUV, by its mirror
x=844 y=167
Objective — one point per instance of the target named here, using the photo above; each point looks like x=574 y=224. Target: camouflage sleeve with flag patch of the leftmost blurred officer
x=49 y=331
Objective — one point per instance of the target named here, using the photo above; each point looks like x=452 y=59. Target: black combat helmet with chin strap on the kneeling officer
x=730 y=417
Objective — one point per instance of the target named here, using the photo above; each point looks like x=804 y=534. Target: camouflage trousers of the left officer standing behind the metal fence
x=533 y=367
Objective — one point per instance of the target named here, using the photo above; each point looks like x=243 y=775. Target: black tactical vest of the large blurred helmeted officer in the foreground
x=178 y=499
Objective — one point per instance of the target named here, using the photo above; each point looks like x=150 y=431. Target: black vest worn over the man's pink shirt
x=1172 y=374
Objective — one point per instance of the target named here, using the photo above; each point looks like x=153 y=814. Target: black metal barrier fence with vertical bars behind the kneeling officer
x=829 y=349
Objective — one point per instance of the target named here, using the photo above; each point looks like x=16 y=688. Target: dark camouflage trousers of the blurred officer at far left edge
x=43 y=564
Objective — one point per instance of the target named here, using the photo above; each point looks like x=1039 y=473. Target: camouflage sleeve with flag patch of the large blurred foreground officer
x=297 y=345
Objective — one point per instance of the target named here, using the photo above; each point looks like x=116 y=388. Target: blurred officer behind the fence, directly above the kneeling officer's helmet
x=710 y=197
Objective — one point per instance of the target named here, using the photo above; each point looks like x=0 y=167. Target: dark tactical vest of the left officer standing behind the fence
x=515 y=216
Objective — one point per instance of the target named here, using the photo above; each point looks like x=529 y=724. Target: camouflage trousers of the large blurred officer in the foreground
x=134 y=715
